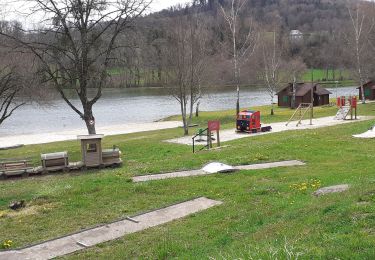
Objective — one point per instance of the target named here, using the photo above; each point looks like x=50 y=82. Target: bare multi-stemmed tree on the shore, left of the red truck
x=185 y=64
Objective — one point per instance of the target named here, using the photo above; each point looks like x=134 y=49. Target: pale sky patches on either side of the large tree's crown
x=16 y=9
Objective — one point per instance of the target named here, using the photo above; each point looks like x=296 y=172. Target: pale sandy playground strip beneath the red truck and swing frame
x=231 y=134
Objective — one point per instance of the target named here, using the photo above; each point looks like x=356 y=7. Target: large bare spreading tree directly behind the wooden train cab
x=76 y=45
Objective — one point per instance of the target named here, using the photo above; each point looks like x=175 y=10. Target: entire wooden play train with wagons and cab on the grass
x=92 y=156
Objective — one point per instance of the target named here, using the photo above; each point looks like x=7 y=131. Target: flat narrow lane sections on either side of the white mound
x=201 y=172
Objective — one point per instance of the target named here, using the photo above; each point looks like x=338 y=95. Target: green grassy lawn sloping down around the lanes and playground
x=263 y=215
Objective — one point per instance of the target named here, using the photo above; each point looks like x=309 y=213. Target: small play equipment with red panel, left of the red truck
x=212 y=126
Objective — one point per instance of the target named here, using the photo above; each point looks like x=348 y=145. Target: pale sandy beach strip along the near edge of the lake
x=42 y=138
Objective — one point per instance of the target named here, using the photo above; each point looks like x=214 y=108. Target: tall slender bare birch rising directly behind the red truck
x=240 y=49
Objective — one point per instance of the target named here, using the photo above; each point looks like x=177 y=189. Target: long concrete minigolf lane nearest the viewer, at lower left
x=69 y=244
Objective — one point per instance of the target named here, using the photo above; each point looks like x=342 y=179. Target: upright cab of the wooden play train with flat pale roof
x=91 y=148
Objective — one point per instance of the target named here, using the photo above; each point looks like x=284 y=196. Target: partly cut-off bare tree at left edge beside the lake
x=10 y=92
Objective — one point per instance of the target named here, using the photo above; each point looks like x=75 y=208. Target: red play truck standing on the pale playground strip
x=249 y=121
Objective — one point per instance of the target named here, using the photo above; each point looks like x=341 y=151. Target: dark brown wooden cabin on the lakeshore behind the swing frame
x=303 y=95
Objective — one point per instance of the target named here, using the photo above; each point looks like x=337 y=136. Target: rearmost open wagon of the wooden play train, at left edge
x=15 y=167
